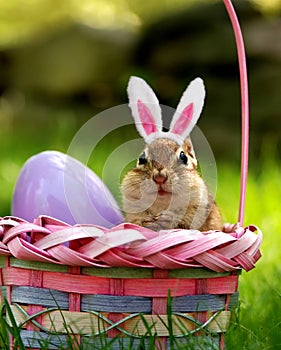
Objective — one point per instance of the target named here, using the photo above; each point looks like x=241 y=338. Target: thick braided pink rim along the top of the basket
x=126 y=245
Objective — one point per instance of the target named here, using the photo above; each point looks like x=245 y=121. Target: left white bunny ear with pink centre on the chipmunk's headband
x=145 y=108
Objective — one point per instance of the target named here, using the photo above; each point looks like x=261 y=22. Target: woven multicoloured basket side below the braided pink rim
x=107 y=302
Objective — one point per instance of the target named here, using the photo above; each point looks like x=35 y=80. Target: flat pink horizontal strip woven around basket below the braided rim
x=150 y=287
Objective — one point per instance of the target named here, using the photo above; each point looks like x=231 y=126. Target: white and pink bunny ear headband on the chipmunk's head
x=146 y=110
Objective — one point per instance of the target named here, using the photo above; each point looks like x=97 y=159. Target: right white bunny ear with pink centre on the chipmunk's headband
x=188 y=110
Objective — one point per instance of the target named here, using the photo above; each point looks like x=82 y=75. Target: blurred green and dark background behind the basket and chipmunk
x=63 y=61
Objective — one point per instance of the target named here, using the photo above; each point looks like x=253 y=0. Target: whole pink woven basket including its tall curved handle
x=127 y=287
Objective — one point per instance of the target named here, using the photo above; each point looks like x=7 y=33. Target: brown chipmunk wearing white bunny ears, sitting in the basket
x=165 y=190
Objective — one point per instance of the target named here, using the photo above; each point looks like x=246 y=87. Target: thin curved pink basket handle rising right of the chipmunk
x=244 y=107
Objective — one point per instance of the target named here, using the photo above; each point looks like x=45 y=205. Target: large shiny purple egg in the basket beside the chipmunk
x=55 y=184
